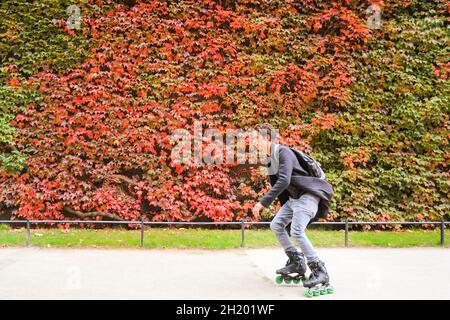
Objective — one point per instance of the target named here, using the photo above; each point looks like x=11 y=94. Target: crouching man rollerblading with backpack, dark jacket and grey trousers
x=299 y=183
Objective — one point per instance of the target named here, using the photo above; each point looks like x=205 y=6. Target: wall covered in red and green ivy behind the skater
x=87 y=114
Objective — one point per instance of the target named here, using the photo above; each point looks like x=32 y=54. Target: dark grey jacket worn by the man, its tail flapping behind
x=292 y=180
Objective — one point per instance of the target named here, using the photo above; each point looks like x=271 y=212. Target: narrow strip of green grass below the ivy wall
x=211 y=239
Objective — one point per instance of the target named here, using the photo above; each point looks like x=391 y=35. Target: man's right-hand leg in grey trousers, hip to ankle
x=304 y=209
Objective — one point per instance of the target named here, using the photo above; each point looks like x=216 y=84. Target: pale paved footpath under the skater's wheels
x=357 y=273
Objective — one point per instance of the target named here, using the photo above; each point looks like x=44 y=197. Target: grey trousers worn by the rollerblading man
x=299 y=212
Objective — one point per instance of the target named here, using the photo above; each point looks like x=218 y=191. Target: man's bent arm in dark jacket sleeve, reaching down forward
x=284 y=177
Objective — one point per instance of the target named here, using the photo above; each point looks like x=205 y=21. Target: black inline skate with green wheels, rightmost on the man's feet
x=319 y=281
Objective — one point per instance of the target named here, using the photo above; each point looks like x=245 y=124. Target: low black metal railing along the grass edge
x=242 y=224
